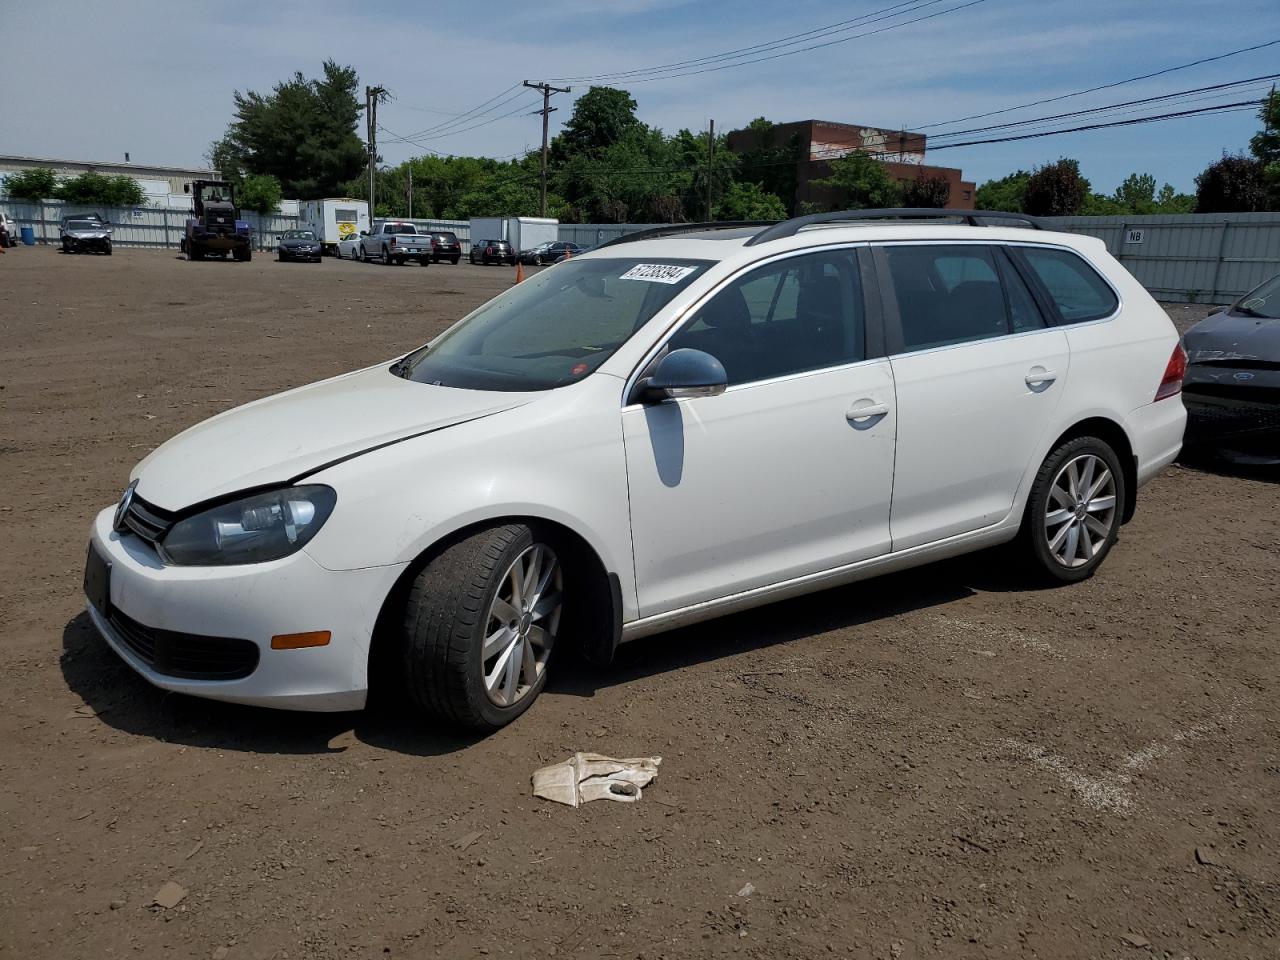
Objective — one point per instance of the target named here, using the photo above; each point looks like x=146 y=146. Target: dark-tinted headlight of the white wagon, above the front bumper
x=253 y=531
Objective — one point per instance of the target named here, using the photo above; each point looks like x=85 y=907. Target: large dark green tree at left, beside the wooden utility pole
x=304 y=134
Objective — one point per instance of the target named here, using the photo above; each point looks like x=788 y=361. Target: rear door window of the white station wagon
x=957 y=294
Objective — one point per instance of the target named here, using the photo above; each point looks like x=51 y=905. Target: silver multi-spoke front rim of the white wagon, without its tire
x=522 y=625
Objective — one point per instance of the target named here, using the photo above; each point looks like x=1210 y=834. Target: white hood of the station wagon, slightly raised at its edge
x=286 y=437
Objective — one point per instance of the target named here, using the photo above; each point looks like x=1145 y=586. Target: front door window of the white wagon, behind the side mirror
x=794 y=316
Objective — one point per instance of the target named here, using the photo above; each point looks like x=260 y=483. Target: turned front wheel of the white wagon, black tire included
x=456 y=604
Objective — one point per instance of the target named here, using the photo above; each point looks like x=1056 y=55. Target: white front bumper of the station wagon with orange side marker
x=254 y=604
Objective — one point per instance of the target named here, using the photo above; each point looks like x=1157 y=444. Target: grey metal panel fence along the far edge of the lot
x=1188 y=258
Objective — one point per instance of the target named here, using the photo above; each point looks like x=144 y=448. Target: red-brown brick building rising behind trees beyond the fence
x=824 y=141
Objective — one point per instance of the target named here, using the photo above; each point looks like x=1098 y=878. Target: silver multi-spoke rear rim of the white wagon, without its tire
x=1082 y=510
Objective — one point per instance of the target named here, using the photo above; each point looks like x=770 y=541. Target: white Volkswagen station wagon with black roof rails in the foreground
x=680 y=424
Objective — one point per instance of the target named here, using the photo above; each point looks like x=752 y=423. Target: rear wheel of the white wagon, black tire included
x=1075 y=511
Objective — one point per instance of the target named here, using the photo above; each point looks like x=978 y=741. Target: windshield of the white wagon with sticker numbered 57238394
x=555 y=328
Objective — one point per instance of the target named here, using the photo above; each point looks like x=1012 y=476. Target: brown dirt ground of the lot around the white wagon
x=940 y=764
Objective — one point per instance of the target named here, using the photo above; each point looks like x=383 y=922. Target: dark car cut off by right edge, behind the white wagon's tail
x=1232 y=388
